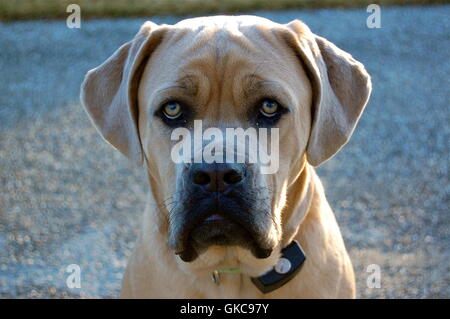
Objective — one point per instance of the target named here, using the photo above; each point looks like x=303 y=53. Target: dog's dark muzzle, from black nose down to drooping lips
x=220 y=206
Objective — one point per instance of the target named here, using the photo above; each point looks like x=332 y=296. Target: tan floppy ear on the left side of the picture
x=109 y=92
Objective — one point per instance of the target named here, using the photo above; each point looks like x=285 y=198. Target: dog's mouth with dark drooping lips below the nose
x=220 y=229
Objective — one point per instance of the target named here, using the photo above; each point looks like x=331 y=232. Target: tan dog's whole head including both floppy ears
x=244 y=73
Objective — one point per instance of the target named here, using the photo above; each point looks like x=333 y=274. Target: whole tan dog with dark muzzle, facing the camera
x=230 y=72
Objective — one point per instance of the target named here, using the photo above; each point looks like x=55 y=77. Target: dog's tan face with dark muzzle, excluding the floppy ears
x=225 y=81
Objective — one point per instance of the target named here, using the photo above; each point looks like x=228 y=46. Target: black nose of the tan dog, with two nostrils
x=217 y=177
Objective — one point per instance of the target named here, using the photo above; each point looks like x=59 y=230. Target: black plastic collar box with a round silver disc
x=290 y=263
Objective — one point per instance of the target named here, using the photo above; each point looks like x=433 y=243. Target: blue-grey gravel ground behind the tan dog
x=67 y=198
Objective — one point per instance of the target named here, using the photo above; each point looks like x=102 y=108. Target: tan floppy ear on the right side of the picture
x=341 y=89
